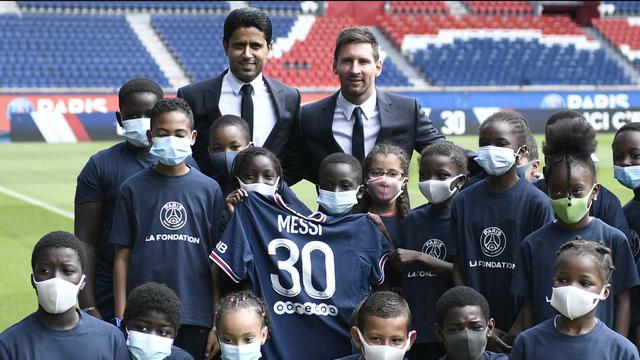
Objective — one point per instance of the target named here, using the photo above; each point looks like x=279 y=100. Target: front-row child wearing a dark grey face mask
x=464 y=325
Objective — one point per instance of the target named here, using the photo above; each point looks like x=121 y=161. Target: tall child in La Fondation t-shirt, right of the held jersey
x=490 y=218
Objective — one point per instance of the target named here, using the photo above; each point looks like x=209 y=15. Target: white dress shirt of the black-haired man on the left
x=264 y=112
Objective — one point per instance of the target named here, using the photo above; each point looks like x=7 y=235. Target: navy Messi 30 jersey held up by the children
x=311 y=271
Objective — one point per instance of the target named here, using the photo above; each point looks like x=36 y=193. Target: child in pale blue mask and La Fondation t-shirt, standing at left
x=166 y=221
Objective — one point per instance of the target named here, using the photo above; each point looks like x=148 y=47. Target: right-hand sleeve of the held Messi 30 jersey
x=375 y=250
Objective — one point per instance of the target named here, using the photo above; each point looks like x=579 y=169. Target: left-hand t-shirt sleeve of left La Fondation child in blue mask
x=123 y=228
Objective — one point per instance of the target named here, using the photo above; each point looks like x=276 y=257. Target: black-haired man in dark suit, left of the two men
x=270 y=107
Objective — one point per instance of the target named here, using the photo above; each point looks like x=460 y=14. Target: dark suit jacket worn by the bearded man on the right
x=402 y=120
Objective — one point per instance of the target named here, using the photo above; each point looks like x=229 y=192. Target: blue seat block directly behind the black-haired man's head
x=196 y=41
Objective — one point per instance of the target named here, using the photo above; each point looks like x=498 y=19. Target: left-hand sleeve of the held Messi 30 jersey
x=233 y=253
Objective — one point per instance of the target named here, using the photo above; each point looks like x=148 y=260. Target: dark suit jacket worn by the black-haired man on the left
x=203 y=98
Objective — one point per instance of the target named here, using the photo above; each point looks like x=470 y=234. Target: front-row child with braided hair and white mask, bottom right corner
x=580 y=283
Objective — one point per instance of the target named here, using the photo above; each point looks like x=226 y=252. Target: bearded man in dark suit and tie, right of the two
x=358 y=116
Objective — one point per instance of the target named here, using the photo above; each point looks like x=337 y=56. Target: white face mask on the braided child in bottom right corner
x=574 y=302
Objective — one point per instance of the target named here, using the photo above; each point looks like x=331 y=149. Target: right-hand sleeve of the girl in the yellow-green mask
x=625 y=275
